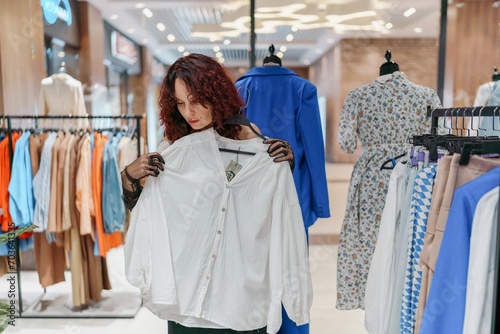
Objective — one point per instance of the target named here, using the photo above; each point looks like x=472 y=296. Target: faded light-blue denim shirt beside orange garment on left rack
x=113 y=209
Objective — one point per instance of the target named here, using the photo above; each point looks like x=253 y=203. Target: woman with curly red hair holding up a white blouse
x=197 y=94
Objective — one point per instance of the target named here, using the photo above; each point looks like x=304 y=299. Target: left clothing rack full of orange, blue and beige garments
x=64 y=177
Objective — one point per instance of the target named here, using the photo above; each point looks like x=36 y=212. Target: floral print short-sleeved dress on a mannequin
x=383 y=115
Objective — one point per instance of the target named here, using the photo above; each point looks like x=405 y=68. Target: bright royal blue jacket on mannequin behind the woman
x=285 y=106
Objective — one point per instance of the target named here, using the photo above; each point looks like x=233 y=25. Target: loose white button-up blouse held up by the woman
x=206 y=252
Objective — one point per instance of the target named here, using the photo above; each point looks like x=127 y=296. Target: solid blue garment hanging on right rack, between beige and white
x=445 y=309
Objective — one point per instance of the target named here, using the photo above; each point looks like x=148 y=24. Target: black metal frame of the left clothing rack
x=137 y=131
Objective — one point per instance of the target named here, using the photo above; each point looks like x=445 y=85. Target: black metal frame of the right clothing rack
x=462 y=112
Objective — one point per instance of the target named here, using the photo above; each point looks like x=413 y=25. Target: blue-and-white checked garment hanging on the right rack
x=419 y=213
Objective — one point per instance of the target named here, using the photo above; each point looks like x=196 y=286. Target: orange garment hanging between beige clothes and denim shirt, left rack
x=105 y=241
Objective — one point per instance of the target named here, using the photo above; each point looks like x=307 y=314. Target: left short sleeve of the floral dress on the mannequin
x=348 y=124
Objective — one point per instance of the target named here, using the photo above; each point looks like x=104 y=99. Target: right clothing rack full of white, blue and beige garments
x=438 y=192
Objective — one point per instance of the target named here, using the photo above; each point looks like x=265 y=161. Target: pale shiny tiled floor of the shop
x=325 y=319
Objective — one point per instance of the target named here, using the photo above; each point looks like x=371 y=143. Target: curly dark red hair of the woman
x=210 y=84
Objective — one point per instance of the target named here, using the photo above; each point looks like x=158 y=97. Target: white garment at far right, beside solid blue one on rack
x=481 y=272
